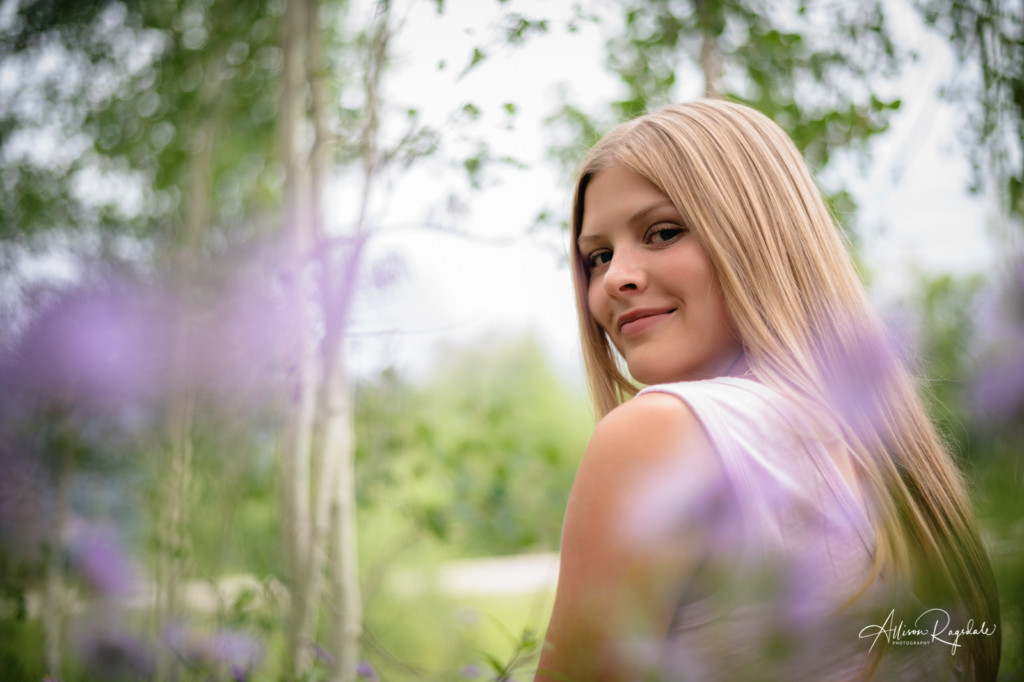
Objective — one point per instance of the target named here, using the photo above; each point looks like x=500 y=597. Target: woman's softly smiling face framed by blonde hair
x=653 y=289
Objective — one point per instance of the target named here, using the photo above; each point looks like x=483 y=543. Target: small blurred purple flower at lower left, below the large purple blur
x=102 y=561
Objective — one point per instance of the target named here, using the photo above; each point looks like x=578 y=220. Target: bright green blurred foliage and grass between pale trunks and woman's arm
x=476 y=459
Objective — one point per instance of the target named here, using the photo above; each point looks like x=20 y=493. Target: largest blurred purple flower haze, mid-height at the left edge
x=116 y=344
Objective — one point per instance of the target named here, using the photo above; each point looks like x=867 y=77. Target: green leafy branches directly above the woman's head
x=814 y=70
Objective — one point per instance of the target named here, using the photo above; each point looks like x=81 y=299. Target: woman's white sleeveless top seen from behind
x=788 y=547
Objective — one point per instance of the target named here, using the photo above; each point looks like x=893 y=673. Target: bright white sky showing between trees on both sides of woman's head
x=916 y=215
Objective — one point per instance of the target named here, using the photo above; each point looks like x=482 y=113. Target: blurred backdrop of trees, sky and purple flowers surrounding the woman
x=289 y=378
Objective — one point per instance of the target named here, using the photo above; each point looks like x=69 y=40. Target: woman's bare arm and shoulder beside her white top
x=628 y=544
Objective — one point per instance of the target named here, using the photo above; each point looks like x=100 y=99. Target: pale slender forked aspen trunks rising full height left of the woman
x=319 y=493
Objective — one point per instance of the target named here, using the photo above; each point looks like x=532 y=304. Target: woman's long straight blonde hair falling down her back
x=808 y=332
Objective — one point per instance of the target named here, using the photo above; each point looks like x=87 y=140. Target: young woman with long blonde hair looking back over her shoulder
x=776 y=503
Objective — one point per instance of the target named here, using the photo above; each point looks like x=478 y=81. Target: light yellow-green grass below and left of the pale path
x=416 y=629
